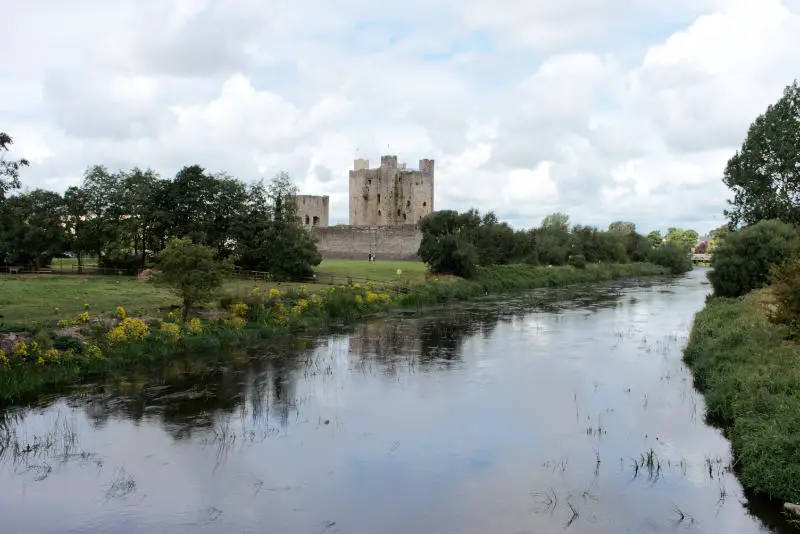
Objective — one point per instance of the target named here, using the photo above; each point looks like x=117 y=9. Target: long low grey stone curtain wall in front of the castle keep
x=356 y=242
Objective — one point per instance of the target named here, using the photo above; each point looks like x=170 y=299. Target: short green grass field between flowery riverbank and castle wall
x=45 y=299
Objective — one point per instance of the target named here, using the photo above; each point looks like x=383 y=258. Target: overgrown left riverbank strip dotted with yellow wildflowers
x=85 y=344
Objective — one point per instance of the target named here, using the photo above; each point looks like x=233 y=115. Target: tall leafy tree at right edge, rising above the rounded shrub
x=764 y=174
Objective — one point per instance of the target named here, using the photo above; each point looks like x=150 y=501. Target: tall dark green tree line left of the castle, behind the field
x=126 y=217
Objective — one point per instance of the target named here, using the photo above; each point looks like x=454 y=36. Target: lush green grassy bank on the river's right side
x=750 y=376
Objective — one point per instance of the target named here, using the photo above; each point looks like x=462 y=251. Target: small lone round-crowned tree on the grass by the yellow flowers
x=191 y=271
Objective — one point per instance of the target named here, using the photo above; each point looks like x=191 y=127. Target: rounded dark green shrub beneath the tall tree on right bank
x=744 y=260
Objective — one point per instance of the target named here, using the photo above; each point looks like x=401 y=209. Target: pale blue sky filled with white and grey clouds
x=603 y=109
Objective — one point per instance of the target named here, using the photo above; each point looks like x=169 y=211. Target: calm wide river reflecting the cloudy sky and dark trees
x=537 y=414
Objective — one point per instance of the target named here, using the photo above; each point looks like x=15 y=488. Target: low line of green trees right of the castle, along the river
x=456 y=243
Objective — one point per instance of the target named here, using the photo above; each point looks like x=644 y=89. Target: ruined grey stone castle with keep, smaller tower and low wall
x=386 y=204
